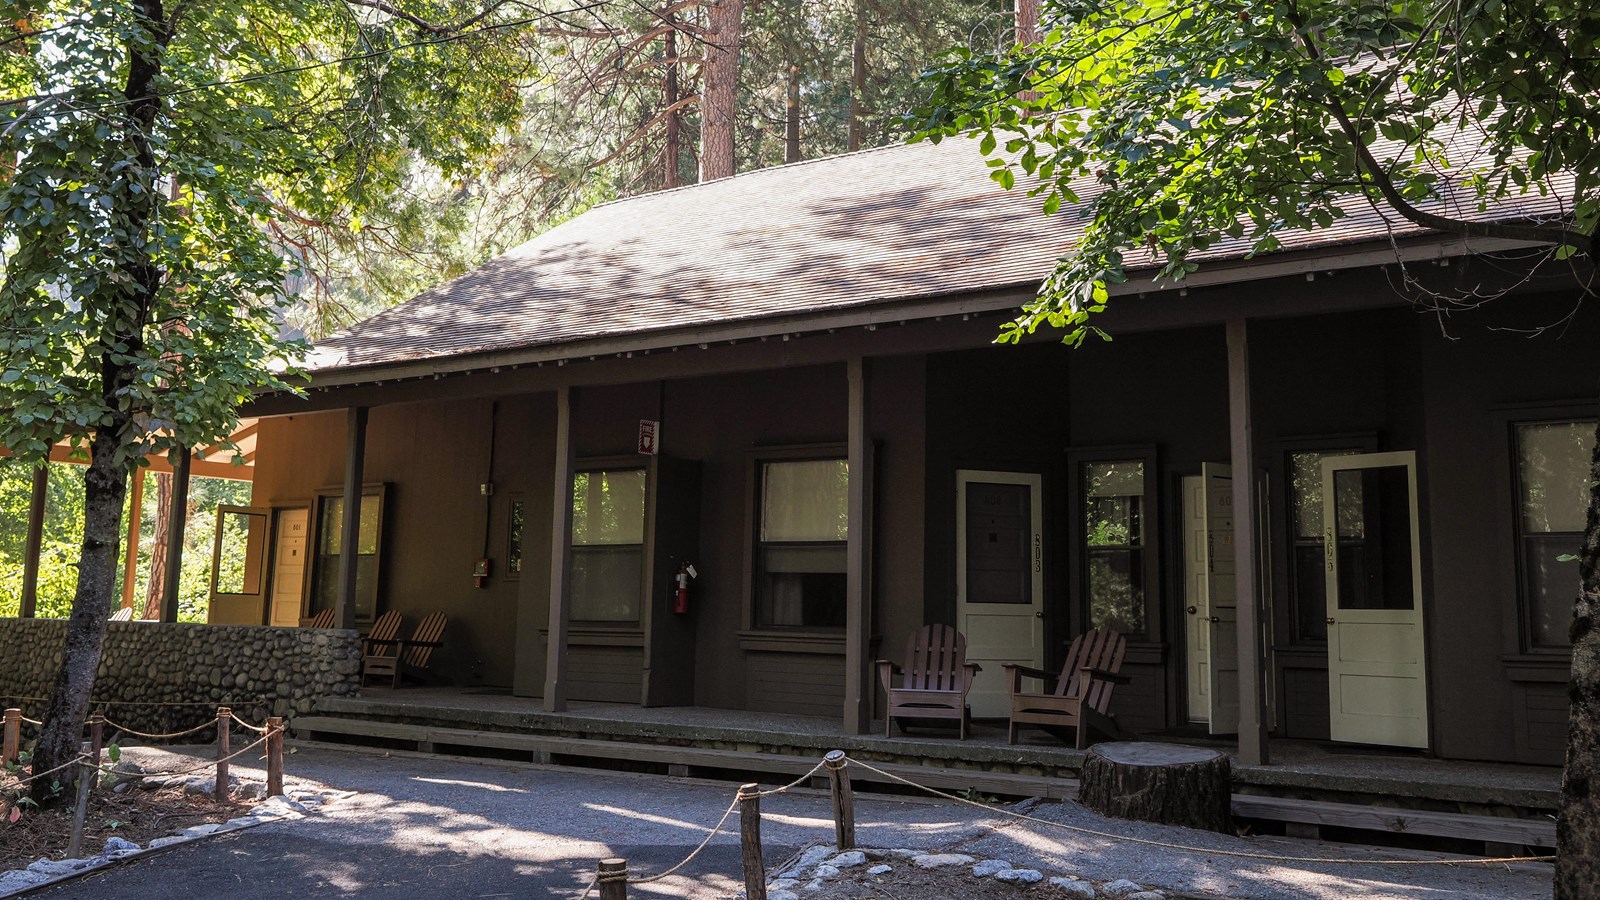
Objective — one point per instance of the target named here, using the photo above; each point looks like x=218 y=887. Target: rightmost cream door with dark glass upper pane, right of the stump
x=1377 y=649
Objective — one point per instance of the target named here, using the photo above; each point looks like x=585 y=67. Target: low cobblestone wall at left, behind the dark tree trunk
x=162 y=678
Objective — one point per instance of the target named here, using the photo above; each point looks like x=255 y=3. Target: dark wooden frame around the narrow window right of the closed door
x=1151 y=531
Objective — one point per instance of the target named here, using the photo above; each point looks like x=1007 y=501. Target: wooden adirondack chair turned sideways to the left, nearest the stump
x=1082 y=696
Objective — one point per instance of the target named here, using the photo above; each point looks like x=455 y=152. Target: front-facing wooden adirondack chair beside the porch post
x=934 y=683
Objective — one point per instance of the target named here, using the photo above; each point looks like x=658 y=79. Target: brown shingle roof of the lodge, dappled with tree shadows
x=866 y=228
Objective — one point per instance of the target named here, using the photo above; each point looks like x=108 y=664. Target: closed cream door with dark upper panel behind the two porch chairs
x=999 y=581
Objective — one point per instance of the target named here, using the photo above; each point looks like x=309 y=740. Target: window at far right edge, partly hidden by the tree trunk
x=1553 y=507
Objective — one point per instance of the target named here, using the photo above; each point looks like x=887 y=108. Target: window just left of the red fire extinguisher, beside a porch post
x=609 y=545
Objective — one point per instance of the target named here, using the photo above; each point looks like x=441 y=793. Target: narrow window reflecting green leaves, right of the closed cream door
x=1116 y=534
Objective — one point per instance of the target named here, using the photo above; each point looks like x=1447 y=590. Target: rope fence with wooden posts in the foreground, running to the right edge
x=612 y=877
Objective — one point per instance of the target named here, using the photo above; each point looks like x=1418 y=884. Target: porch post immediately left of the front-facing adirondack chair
x=858 y=555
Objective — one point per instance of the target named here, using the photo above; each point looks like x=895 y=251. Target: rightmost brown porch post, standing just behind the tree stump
x=1252 y=697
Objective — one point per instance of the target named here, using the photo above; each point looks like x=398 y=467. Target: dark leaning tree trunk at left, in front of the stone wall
x=134 y=211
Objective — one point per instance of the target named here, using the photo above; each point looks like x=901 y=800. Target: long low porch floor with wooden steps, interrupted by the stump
x=1366 y=795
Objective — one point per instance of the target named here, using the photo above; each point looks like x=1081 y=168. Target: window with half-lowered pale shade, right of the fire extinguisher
x=801 y=555
